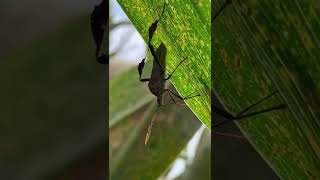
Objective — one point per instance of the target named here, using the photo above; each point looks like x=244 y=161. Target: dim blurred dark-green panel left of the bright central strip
x=53 y=92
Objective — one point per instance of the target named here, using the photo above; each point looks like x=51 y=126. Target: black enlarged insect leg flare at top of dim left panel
x=99 y=22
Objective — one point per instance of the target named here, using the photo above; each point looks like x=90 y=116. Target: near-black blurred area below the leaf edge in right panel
x=235 y=158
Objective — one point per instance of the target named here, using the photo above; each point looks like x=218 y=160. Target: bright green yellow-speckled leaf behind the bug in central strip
x=184 y=35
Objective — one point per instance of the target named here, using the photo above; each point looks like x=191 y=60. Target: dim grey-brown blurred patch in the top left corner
x=24 y=21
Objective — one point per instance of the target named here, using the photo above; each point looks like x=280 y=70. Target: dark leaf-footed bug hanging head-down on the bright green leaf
x=156 y=82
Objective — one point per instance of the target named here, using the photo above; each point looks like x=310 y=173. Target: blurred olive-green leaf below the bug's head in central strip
x=131 y=159
